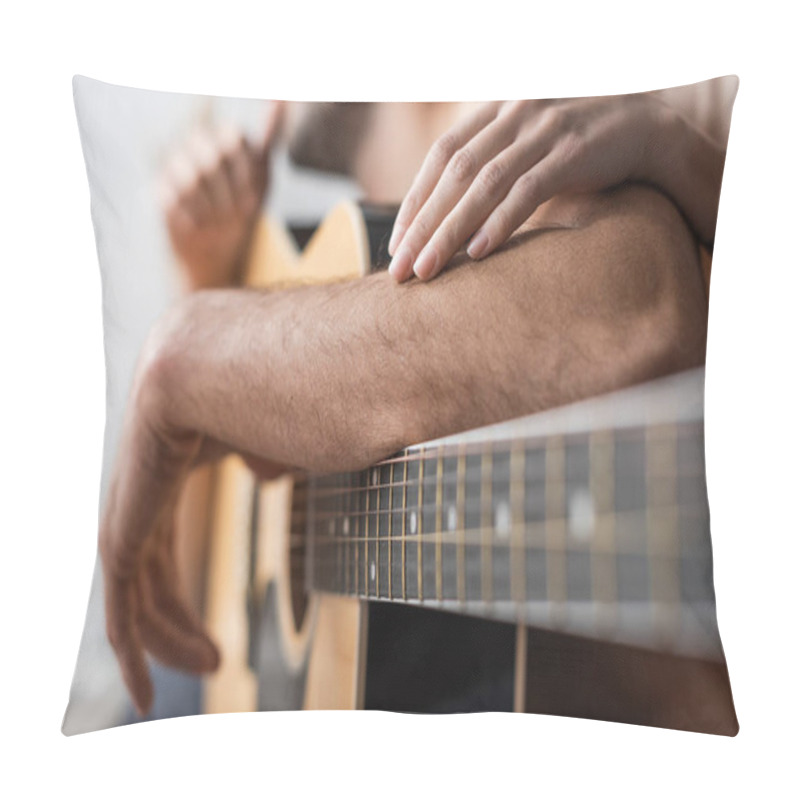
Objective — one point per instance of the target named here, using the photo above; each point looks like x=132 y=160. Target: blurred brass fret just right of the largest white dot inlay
x=604 y=575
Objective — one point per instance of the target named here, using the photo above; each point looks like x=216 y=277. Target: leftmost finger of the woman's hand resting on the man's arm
x=434 y=165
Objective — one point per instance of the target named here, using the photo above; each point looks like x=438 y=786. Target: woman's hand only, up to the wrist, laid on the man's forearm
x=489 y=173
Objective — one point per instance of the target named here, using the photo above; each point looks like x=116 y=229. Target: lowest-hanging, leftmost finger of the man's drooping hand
x=121 y=612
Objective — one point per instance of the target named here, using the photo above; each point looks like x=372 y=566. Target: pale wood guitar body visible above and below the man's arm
x=313 y=649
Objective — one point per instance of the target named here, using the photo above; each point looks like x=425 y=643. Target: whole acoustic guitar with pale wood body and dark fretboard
x=559 y=563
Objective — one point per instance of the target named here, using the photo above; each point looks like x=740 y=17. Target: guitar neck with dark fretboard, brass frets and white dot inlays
x=600 y=532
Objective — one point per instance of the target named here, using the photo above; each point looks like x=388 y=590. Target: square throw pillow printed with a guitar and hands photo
x=405 y=407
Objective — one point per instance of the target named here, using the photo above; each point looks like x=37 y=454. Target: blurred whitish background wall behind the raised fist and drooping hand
x=127 y=136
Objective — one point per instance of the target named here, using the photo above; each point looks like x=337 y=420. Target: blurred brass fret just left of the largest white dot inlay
x=555 y=531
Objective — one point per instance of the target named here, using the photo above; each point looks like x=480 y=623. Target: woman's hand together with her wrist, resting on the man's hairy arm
x=490 y=171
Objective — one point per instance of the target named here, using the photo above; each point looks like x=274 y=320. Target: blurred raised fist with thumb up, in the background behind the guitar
x=212 y=191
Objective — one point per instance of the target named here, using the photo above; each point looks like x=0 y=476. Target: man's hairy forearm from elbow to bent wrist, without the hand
x=337 y=376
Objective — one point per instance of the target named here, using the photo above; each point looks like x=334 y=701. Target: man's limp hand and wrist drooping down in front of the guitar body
x=146 y=609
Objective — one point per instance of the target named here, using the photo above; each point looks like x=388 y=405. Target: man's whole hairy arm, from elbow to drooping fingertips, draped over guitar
x=337 y=376
